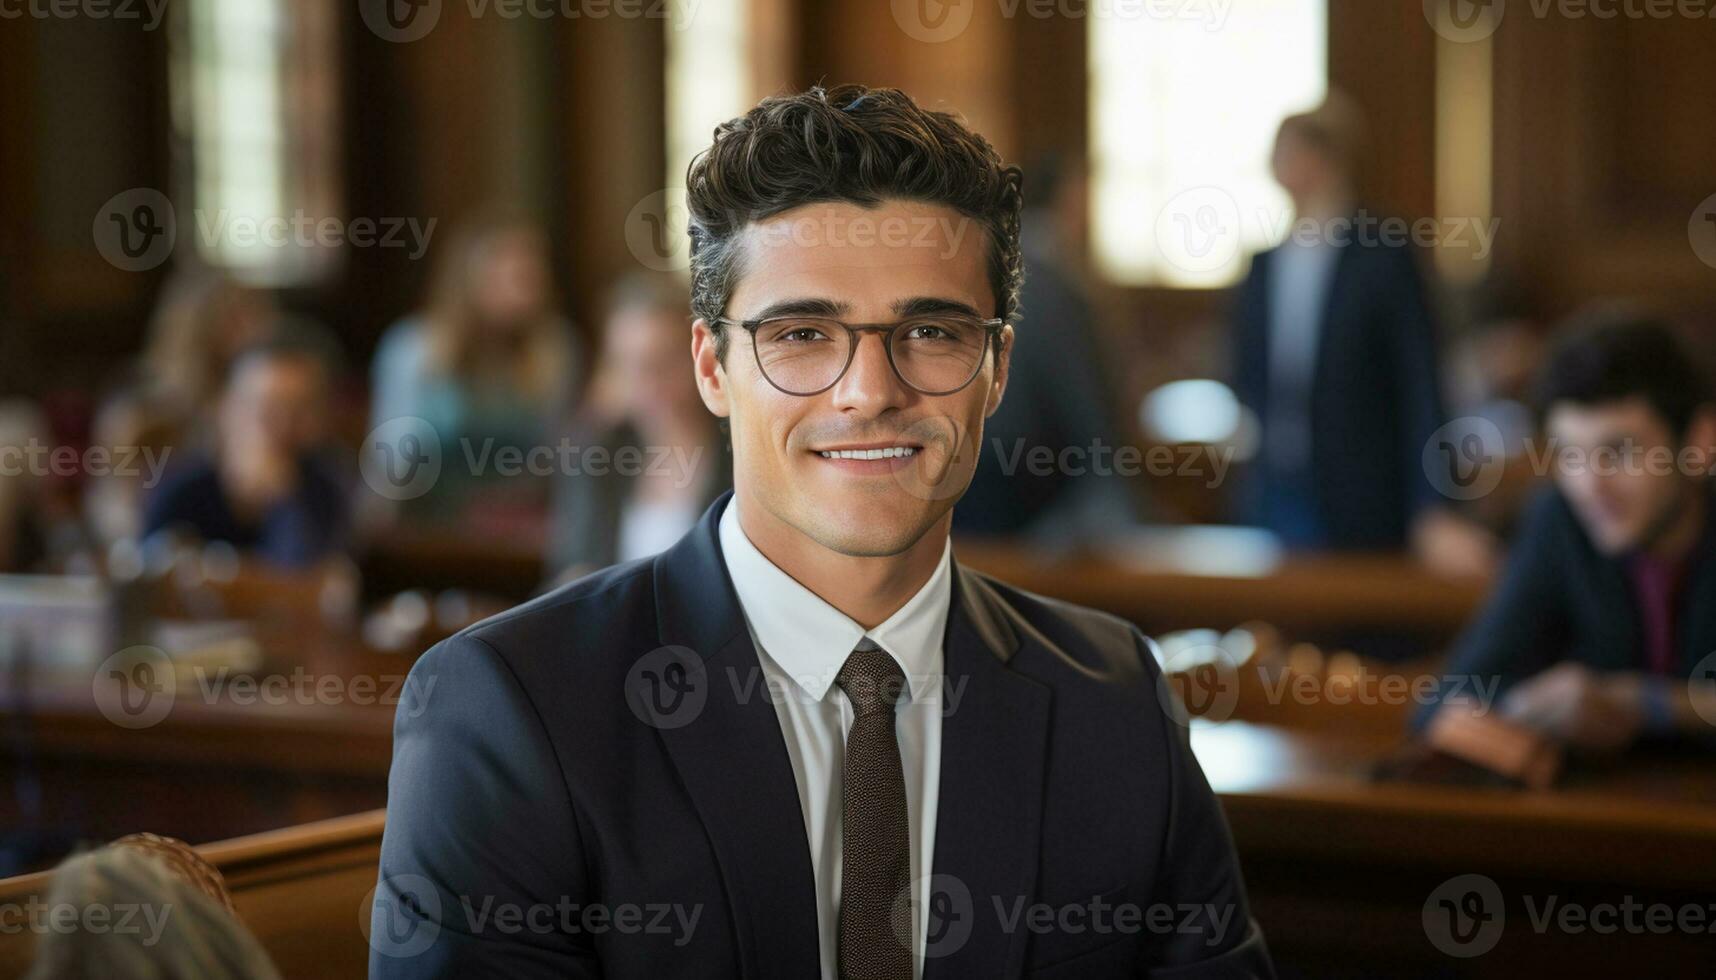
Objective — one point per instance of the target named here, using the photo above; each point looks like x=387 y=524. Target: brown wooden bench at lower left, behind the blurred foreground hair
x=301 y=890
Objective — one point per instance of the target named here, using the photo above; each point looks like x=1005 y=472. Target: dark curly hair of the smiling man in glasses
x=854 y=145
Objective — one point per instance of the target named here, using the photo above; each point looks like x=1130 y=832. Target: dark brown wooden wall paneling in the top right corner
x=1602 y=159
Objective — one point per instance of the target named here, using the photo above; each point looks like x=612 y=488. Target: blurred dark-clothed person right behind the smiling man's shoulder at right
x=1058 y=397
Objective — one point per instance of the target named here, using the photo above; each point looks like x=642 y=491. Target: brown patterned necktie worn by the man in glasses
x=876 y=840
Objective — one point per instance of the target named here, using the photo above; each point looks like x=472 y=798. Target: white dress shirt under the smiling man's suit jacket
x=802 y=644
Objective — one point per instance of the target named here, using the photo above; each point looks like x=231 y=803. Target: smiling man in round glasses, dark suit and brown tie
x=806 y=742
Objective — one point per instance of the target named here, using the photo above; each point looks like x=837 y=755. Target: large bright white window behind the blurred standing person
x=1183 y=118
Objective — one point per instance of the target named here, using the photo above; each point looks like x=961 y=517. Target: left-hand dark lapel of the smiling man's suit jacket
x=734 y=761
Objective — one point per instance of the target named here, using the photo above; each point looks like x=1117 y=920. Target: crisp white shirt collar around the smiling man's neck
x=811 y=639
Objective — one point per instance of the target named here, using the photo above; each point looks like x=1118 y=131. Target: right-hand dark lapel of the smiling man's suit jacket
x=991 y=799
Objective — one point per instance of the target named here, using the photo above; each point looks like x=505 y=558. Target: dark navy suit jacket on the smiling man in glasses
x=596 y=785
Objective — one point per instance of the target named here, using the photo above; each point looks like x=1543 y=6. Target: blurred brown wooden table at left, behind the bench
x=313 y=746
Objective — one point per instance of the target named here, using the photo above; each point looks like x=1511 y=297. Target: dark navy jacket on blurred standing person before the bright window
x=1375 y=394
